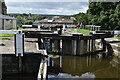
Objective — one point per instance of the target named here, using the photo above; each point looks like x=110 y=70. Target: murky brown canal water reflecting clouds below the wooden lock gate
x=83 y=67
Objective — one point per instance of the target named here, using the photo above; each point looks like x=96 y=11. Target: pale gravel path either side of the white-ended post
x=29 y=45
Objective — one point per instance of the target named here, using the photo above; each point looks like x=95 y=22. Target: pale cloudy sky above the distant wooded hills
x=57 y=7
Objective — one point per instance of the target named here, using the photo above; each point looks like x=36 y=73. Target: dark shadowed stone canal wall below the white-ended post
x=29 y=62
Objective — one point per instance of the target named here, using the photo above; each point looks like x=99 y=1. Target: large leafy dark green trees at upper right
x=105 y=14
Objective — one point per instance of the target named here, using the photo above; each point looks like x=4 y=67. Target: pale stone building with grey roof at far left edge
x=6 y=22
